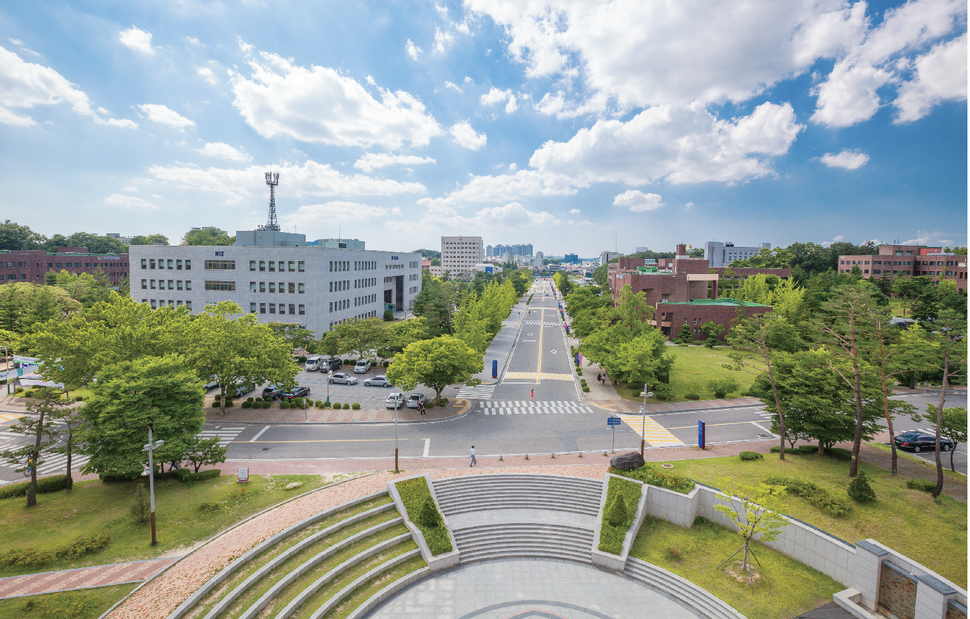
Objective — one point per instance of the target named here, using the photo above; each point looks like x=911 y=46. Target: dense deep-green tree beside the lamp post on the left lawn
x=161 y=392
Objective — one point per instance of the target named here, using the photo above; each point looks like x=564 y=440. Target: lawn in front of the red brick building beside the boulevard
x=694 y=364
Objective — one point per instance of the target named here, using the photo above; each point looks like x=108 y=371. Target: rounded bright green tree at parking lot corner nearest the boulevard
x=435 y=363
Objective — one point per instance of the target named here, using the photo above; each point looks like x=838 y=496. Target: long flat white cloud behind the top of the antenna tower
x=310 y=179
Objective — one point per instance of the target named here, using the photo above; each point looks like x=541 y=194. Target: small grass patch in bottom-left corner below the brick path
x=82 y=604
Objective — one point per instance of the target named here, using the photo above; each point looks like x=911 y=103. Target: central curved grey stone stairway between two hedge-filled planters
x=521 y=516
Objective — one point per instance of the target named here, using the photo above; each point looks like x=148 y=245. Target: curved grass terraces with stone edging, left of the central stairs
x=323 y=567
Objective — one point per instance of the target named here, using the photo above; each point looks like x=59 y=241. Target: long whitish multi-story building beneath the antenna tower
x=315 y=287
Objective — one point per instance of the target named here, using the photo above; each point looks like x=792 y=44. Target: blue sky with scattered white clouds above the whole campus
x=578 y=125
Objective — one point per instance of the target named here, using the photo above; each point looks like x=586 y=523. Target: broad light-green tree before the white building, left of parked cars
x=234 y=348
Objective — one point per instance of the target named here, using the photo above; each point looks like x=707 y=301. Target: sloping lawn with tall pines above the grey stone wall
x=908 y=521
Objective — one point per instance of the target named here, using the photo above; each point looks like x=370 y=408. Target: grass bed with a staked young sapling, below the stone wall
x=787 y=587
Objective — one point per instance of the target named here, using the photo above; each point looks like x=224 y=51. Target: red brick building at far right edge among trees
x=910 y=260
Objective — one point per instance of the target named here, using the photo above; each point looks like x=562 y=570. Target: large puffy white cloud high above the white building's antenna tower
x=280 y=98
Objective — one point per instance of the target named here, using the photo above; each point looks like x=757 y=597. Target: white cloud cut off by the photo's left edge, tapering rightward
x=26 y=85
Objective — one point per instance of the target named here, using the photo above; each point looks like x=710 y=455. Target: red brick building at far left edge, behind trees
x=31 y=265
